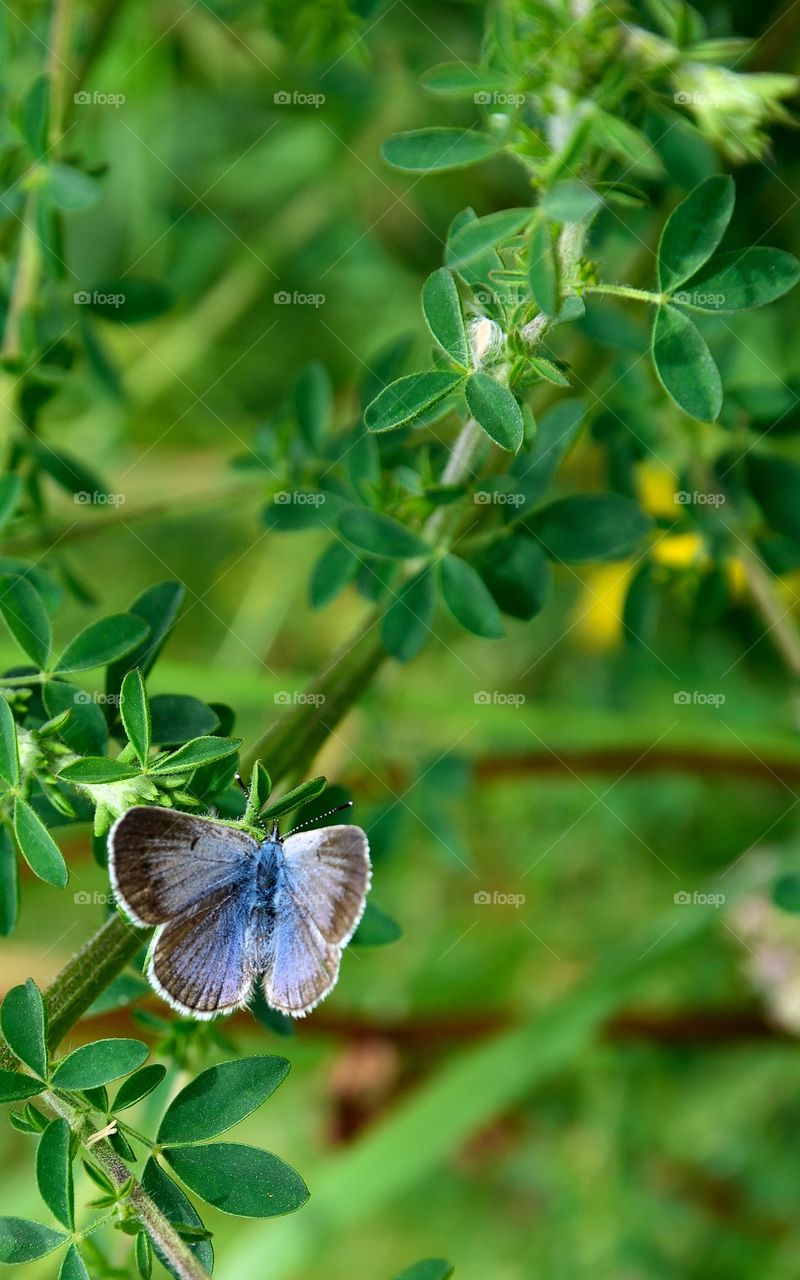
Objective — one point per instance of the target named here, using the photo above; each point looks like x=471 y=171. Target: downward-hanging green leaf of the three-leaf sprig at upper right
x=685 y=365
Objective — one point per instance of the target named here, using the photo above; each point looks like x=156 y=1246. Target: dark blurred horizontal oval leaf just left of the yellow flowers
x=591 y=528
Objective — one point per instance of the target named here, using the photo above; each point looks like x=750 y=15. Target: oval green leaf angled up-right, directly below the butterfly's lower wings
x=220 y=1098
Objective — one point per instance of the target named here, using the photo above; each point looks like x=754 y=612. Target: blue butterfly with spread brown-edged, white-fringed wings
x=231 y=909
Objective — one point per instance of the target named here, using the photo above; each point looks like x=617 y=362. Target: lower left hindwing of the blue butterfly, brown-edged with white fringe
x=199 y=963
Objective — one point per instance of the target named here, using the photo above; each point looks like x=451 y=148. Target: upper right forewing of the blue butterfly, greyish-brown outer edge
x=328 y=876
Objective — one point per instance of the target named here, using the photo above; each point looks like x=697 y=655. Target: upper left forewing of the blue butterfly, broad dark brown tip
x=163 y=863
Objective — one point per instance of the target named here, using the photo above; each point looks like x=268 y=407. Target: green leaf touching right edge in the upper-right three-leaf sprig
x=742 y=280
